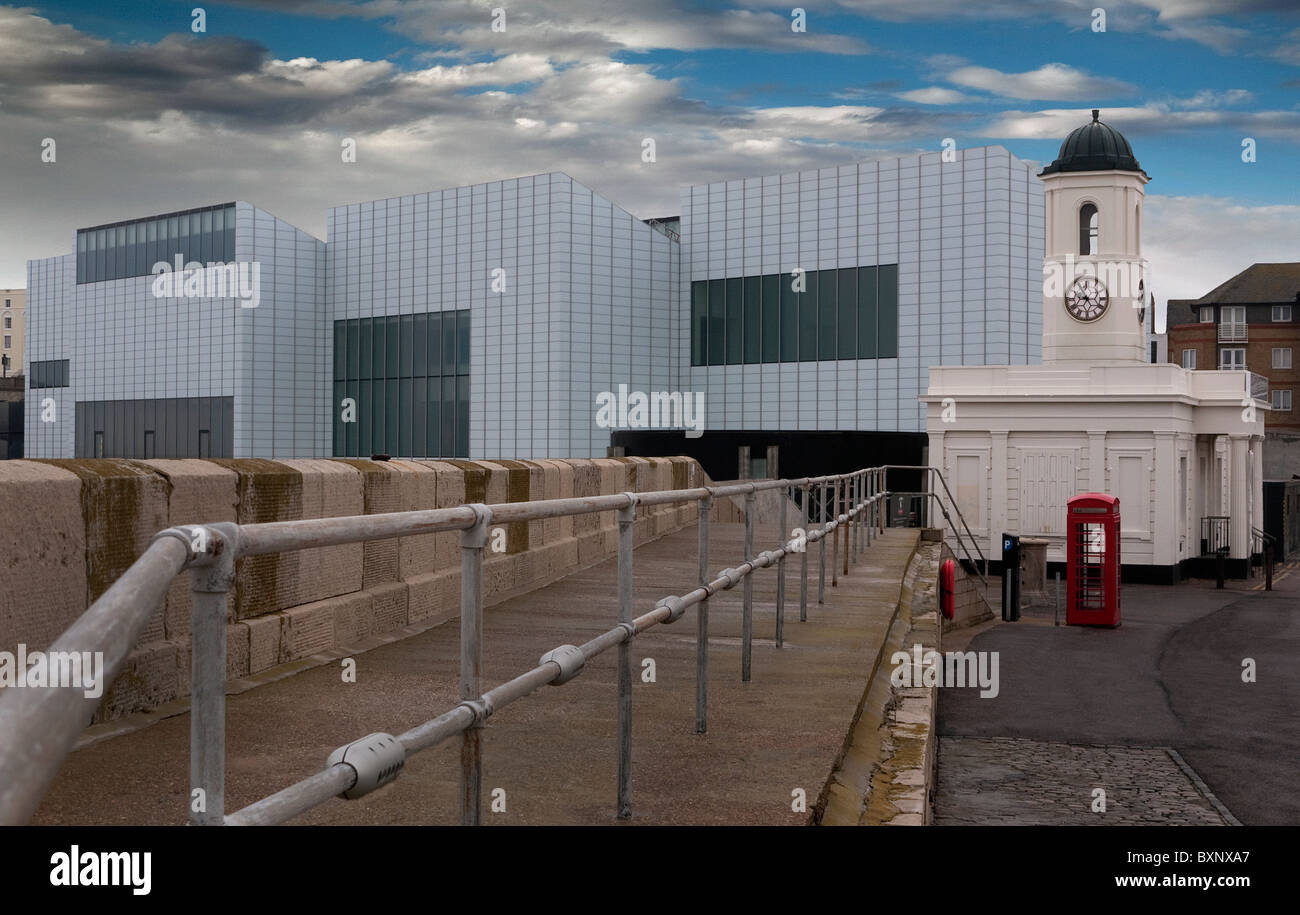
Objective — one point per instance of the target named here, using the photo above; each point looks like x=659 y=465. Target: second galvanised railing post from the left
x=473 y=543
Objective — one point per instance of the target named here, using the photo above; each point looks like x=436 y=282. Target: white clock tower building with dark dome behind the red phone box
x=1016 y=443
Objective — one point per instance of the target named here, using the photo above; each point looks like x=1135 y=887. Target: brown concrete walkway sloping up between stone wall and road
x=553 y=753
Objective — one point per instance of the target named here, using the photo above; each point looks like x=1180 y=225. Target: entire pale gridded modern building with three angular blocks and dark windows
x=488 y=322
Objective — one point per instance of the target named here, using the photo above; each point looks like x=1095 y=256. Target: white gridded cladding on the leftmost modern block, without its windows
x=124 y=344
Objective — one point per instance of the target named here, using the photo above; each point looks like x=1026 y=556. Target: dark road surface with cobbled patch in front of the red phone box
x=1082 y=709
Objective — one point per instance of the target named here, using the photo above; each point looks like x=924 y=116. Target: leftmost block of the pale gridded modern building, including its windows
x=228 y=366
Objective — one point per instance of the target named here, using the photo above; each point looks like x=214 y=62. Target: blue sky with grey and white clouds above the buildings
x=149 y=115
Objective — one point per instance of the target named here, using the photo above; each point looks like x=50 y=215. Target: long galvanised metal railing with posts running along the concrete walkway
x=40 y=726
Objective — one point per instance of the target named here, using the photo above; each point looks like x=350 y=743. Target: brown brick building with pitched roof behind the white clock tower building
x=1250 y=323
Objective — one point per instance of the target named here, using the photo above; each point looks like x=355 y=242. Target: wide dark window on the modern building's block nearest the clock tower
x=846 y=314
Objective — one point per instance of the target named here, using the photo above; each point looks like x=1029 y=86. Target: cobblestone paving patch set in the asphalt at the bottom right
x=1013 y=782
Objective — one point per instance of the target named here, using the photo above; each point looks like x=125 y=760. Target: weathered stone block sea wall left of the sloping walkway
x=70 y=528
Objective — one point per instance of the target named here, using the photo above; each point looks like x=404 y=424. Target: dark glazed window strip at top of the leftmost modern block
x=132 y=249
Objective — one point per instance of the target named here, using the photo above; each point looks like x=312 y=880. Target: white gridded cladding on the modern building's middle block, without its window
x=569 y=297
